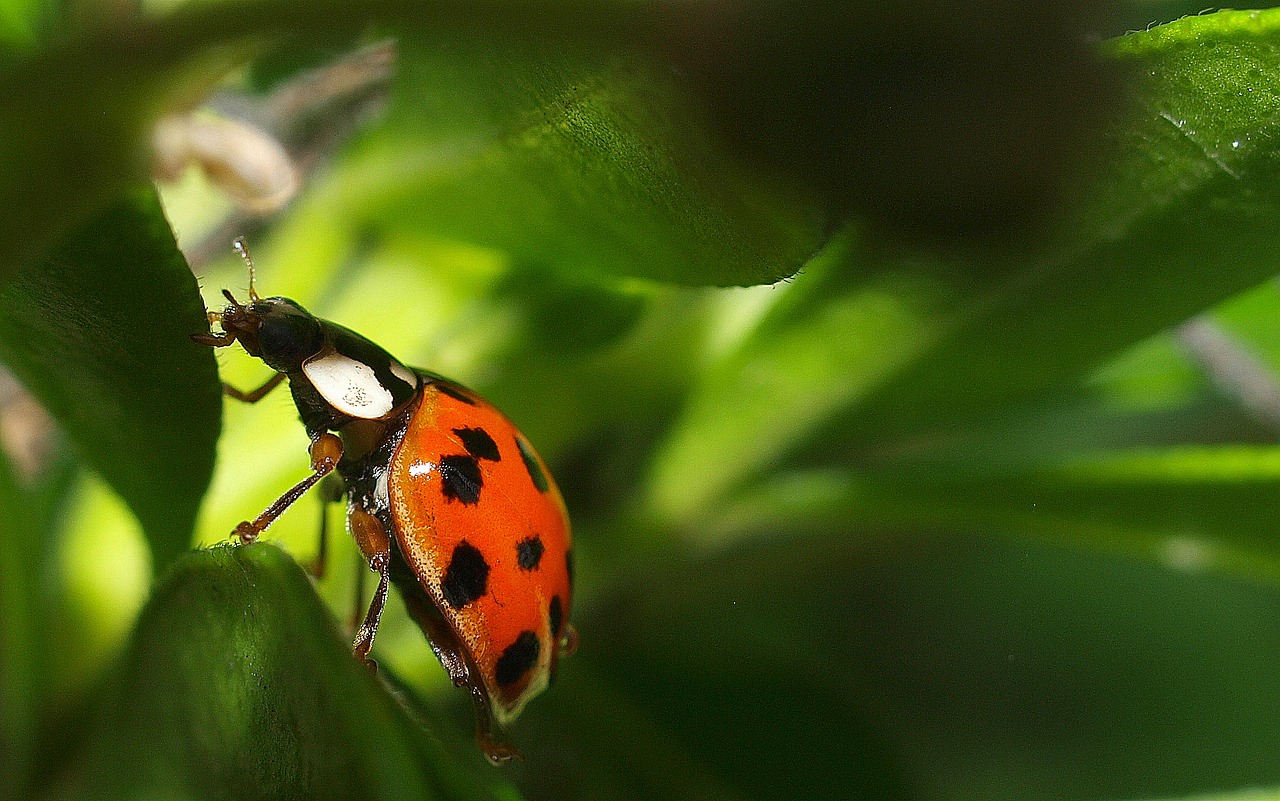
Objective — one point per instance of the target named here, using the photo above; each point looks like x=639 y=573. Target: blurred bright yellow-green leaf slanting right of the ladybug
x=783 y=381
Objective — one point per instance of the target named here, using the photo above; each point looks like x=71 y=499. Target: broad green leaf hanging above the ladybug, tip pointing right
x=575 y=158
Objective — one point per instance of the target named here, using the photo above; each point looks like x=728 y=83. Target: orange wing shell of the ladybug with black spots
x=483 y=525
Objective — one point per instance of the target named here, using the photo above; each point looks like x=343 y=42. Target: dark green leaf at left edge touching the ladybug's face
x=100 y=335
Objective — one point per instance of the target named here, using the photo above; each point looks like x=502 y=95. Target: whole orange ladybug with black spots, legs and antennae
x=446 y=500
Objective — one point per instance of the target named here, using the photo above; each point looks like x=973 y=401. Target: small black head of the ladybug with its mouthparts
x=277 y=331
